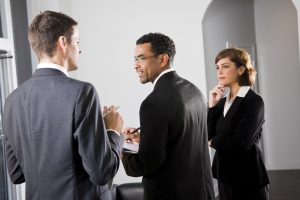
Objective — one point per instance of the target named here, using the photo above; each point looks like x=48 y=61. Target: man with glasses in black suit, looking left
x=173 y=155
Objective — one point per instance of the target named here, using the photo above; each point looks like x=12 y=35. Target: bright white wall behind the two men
x=108 y=31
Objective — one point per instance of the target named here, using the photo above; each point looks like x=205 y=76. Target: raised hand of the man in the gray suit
x=112 y=119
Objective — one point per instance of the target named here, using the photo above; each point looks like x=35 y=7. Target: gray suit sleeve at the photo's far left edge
x=13 y=167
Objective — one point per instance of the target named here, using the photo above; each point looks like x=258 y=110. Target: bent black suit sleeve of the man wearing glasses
x=152 y=149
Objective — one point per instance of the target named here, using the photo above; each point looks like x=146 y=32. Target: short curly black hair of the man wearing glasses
x=160 y=44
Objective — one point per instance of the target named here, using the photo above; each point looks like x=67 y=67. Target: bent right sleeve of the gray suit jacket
x=99 y=152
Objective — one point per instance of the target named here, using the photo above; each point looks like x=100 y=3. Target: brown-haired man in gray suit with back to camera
x=57 y=140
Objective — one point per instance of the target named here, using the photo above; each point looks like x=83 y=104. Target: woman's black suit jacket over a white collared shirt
x=238 y=160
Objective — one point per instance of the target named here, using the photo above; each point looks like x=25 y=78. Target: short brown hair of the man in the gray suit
x=45 y=30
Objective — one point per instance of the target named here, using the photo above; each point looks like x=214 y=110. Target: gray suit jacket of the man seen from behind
x=56 y=140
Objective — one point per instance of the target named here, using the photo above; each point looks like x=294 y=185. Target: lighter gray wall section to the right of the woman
x=278 y=58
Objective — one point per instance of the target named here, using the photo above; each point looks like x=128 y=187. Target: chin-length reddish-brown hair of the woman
x=239 y=57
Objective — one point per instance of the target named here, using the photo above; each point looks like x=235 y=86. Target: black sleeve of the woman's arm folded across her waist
x=246 y=130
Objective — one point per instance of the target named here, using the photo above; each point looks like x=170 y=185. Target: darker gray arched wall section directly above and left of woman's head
x=225 y=21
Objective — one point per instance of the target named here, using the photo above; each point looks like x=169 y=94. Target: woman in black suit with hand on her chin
x=235 y=120
